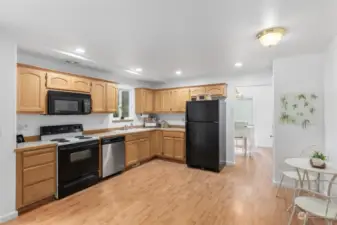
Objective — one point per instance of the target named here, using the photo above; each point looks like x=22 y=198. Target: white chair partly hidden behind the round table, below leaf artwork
x=292 y=174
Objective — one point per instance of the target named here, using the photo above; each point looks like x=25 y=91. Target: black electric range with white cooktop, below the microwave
x=77 y=158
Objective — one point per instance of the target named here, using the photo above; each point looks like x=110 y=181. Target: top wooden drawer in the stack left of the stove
x=38 y=157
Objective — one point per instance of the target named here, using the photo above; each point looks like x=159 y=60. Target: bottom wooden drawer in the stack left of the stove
x=38 y=191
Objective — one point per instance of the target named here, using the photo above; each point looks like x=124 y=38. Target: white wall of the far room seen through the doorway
x=263 y=104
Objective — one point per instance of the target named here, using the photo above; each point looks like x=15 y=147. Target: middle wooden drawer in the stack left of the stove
x=39 y=173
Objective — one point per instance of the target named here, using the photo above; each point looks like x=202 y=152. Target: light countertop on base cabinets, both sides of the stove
x=45 y=144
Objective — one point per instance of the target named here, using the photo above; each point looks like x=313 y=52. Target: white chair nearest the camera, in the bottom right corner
x=316 y=205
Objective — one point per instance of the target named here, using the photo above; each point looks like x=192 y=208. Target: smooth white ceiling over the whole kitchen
x=200 y=37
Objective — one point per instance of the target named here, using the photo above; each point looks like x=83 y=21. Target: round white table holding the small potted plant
x=303 y=164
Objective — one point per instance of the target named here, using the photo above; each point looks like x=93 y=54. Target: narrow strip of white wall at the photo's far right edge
x=330 y=102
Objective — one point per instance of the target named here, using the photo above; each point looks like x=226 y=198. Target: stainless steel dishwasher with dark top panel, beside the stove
x=113 y=155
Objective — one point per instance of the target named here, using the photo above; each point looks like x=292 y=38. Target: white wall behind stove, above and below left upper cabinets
x=29 y=125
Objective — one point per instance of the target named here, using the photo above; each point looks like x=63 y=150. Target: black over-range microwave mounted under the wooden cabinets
x=67 y=103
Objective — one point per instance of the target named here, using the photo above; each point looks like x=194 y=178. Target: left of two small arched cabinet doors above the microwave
x=59 y=81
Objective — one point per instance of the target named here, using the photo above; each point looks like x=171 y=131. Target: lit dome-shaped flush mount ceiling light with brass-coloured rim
x=271 y=36
